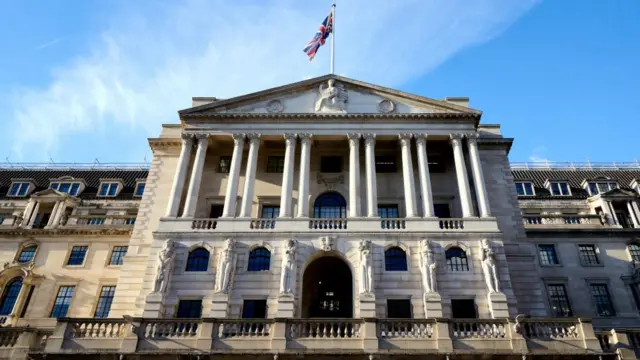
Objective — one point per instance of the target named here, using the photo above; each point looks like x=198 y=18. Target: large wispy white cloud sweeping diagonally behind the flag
x=150 y=61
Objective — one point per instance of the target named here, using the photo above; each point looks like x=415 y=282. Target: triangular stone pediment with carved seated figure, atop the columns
x=330 y=94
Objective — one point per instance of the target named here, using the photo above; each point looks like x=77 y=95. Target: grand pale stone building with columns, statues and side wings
x=325 y=218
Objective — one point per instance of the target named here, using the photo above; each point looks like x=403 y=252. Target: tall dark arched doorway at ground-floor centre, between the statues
x=327 y=289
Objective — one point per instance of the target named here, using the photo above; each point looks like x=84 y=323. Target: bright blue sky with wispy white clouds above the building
x=94 y=78
